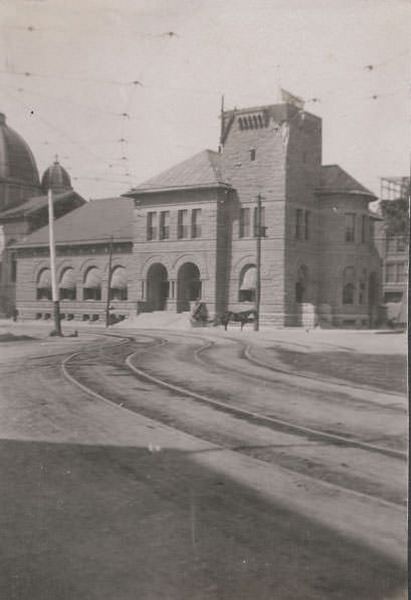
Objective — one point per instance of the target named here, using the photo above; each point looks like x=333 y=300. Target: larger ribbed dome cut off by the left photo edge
x=16 y=159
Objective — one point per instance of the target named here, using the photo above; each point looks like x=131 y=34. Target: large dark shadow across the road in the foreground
x=123 y=523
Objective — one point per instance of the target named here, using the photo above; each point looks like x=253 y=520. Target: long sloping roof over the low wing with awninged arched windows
x=93 y=222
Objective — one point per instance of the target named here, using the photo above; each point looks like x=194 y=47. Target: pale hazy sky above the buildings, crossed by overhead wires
x=121 y=90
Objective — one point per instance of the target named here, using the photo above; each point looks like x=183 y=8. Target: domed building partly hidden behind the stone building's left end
x=23 y=203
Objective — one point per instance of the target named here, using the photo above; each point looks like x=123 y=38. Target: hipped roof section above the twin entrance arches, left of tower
x=200 y=171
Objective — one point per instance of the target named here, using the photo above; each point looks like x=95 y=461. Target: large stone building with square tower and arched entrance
x=192 y=235
